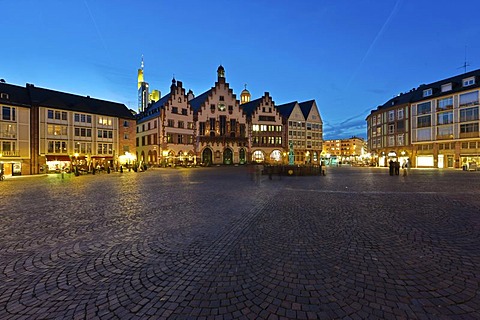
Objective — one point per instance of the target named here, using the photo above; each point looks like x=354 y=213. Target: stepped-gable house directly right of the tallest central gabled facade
x=267 y=140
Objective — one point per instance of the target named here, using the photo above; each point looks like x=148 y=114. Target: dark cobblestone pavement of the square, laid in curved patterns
x=223 y=243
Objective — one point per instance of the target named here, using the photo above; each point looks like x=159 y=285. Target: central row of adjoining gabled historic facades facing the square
x=215 y=128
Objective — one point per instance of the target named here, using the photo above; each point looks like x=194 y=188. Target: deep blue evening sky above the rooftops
x=350 y=56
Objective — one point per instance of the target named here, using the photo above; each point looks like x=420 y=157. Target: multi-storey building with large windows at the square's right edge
x=435 y=125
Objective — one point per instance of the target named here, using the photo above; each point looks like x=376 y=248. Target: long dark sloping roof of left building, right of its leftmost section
x=66 y=101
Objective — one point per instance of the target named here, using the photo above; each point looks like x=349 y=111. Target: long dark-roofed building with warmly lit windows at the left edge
x=45 y=130
